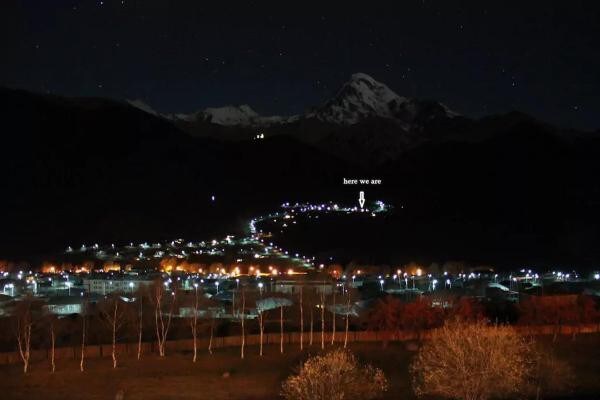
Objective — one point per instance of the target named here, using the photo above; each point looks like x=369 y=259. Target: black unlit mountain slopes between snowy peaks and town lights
x=504 y=189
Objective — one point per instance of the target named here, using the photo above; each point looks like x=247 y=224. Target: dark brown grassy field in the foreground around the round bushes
x=176 y=377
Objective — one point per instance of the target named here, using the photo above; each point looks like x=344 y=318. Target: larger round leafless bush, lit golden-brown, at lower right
x=473 y=362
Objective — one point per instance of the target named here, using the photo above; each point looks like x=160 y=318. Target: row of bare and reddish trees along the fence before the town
x=155 y=314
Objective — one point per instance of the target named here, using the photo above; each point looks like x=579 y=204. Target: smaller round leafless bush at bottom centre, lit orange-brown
x=336 y=375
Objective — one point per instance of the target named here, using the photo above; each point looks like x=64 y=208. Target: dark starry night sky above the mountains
x=478 y=57
